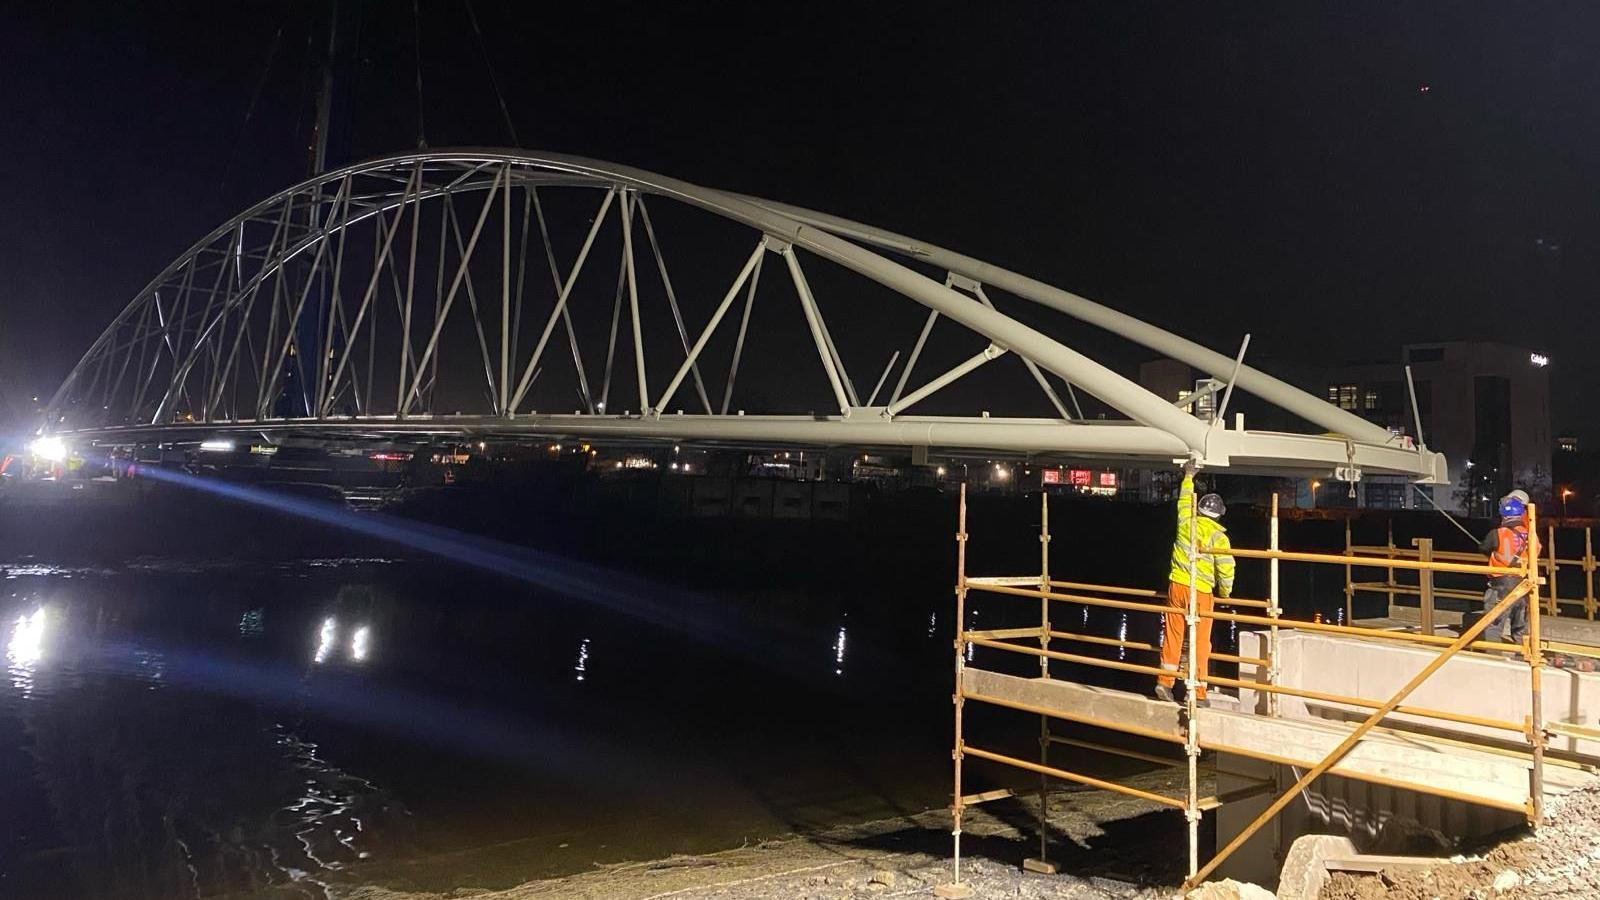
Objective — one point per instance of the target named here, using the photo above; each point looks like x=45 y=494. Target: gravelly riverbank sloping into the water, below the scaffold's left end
x=1116 y=850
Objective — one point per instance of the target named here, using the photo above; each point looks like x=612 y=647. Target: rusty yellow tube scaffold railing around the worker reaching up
x=1049 y=643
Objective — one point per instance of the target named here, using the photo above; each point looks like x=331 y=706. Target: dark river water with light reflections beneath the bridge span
x=287 y=728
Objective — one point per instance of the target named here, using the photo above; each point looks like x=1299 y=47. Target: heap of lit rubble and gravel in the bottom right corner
x=1561 y=862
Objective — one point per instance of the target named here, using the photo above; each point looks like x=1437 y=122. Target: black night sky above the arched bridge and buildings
x=1337 y=179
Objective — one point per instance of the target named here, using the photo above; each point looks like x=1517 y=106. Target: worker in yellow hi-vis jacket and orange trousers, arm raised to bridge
x=1214 y=577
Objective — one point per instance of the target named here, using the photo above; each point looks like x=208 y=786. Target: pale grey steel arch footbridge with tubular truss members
x=426 y=294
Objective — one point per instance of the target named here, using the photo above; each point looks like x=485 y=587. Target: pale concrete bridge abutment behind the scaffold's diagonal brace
x=1414 y=790
